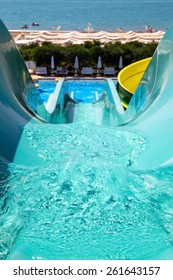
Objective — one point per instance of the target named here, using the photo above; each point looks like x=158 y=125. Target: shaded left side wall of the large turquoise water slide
x=16 y=91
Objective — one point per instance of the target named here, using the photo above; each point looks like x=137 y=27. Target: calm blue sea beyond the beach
x=79 y=15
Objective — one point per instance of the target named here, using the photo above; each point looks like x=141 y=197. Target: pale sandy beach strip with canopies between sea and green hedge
x=24 y=37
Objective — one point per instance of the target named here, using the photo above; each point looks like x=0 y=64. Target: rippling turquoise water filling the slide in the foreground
x=86 y=202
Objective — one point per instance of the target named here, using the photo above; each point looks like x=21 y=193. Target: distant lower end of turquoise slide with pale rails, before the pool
x=62 y=108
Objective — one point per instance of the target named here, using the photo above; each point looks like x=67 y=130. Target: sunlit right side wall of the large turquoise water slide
x=150 y=111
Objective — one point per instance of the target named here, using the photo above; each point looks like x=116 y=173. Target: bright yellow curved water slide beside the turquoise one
x=129 y=78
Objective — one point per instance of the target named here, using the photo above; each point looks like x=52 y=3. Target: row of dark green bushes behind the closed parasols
x=88 y=53
